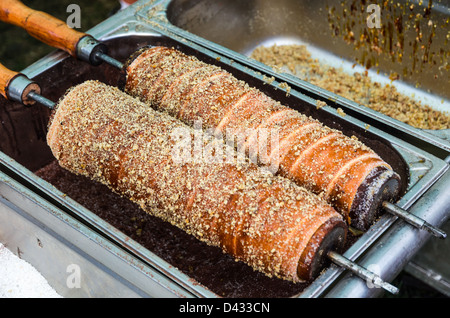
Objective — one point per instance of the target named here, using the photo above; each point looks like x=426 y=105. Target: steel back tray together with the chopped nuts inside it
x=408 y=52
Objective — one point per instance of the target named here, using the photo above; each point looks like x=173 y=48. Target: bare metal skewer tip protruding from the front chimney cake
x=362 y=272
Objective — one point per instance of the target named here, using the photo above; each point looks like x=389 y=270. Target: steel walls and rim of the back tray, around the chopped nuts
x=235 y=28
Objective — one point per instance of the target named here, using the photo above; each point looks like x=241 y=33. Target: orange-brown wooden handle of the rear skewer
x=40 y=25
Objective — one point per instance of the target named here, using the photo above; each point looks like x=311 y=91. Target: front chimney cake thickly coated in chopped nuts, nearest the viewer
x=266 y=221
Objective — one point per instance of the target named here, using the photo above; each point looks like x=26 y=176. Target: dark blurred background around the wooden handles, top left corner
x=19 y=49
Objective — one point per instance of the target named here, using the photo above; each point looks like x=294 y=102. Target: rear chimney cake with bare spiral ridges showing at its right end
x=317 y=157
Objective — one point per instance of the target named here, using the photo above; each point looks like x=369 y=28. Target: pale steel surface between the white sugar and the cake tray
x=81 y=258
